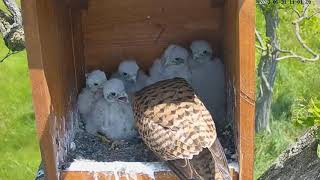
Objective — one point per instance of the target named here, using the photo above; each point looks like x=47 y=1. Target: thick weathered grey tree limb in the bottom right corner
x=299 y=161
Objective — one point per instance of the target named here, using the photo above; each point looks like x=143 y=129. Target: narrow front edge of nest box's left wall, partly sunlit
x=40 y=91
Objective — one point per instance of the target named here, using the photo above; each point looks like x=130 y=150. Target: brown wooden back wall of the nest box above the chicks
x=114 y=30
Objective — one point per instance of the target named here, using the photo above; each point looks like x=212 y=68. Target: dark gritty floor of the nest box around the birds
x=91 y=147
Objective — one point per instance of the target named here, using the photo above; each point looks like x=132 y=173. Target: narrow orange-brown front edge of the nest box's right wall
x=247 y=87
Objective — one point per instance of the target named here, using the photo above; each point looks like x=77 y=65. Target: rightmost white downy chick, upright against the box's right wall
x=208 y=79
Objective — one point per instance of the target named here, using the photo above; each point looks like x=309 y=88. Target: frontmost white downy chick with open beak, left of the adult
x=113 y=115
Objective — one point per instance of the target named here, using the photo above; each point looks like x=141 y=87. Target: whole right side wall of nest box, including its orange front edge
x=239 y=54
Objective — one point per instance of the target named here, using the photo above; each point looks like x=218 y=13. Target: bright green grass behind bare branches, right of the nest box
x=294 y=80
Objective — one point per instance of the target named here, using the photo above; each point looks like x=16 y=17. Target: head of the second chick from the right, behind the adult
x=175 y=55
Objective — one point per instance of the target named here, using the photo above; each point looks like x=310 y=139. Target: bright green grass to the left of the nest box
x=19 y=148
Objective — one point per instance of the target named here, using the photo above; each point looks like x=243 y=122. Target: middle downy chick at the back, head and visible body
x=133 y=78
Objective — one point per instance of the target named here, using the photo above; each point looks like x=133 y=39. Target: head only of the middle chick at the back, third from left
x=128 y=69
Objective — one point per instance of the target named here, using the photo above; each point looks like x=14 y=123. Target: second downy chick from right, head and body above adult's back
x=173 y=63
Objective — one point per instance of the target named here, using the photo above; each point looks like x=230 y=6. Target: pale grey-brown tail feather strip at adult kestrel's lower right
x=220 y=161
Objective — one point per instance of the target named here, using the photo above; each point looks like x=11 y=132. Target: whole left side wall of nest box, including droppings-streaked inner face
x=53 y=76
